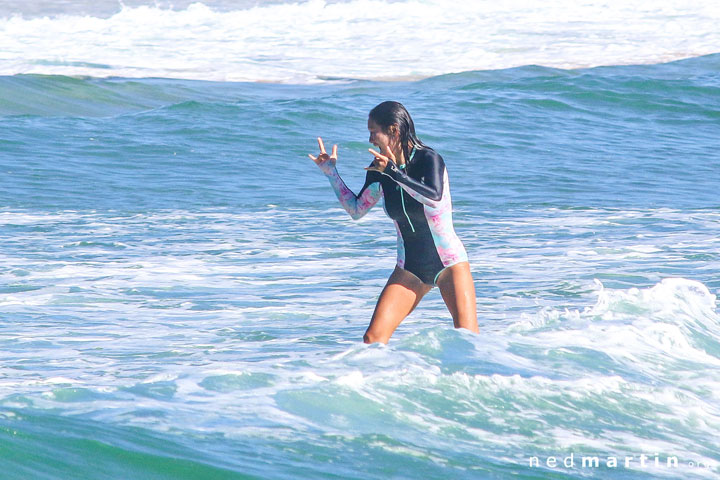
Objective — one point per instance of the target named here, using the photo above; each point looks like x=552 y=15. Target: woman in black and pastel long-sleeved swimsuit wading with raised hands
x=413 y=181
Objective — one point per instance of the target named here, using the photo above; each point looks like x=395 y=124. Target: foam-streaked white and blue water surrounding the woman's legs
x=278 y=356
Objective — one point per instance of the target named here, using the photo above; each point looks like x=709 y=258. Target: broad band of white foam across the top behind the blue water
x=317 y=41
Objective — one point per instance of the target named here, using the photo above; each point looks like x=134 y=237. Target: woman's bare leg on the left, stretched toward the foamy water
x=400 y=296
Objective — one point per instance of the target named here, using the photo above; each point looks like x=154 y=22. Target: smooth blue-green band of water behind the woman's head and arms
x=613 y=137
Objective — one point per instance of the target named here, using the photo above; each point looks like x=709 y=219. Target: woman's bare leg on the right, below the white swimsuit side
x=458 y=290
